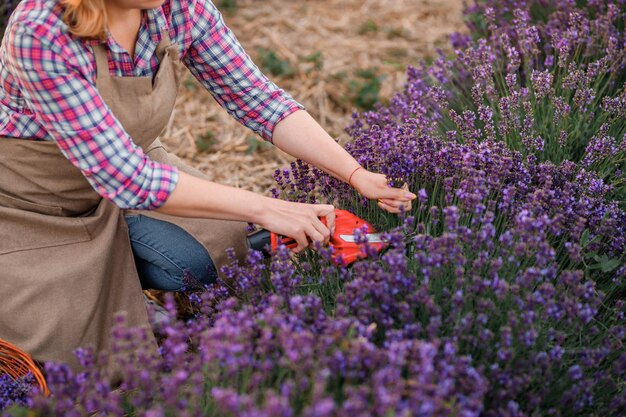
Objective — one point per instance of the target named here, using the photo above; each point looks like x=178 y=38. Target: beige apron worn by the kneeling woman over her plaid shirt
x=66 y=266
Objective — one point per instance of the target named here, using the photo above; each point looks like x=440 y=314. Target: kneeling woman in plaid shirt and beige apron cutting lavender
x=87 y=86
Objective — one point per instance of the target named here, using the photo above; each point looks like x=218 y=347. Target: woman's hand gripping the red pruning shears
x=300 y=221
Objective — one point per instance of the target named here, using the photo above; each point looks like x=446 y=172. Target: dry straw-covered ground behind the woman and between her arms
x=324 y=44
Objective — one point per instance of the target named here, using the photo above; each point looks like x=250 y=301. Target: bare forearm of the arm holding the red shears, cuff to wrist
x=197 y=197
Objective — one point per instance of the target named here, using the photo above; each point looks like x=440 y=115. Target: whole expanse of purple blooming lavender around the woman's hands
x=502 y=293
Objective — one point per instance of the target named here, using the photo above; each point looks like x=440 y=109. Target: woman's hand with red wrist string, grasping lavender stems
x=375 y=186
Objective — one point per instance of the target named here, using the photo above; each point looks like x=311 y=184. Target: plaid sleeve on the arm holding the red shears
x=69 y=107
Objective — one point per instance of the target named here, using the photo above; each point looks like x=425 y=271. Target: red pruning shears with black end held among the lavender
x=348 y=248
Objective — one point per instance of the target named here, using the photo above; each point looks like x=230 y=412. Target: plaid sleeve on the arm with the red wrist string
x=217 y=59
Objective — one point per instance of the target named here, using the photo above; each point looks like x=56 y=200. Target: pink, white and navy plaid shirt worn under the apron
x=47 y=91
